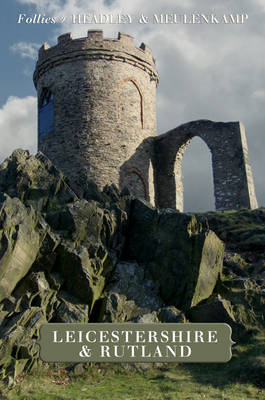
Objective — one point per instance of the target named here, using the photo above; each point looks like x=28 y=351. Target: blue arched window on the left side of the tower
x=46 y=113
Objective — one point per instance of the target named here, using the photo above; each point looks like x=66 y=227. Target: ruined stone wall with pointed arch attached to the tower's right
x=233 y=182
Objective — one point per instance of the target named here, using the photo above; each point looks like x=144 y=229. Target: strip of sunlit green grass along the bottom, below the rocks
x=235 y=380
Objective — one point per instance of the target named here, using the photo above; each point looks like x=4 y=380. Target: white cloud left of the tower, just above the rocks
x=18 y=125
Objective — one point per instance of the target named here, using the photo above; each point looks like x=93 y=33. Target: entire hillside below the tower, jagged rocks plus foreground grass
x=106 y=257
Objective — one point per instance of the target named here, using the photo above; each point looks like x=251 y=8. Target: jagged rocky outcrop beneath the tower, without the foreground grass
x=86 y=255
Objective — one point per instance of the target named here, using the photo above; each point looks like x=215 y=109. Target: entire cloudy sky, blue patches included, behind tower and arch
x=207 y=71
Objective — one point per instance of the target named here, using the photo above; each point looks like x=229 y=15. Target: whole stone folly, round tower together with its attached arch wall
x=103 y=124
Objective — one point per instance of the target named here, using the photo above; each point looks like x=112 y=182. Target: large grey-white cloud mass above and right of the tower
x=206 y=71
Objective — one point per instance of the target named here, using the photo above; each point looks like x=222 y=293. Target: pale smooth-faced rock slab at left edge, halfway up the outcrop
x=22 y=231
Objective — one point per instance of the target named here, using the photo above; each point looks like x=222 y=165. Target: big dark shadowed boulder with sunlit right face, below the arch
x=183 y=257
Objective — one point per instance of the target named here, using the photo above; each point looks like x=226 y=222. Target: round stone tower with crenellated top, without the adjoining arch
x=96 y=109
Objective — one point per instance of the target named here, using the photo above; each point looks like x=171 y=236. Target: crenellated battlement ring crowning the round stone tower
x=93 y=47
